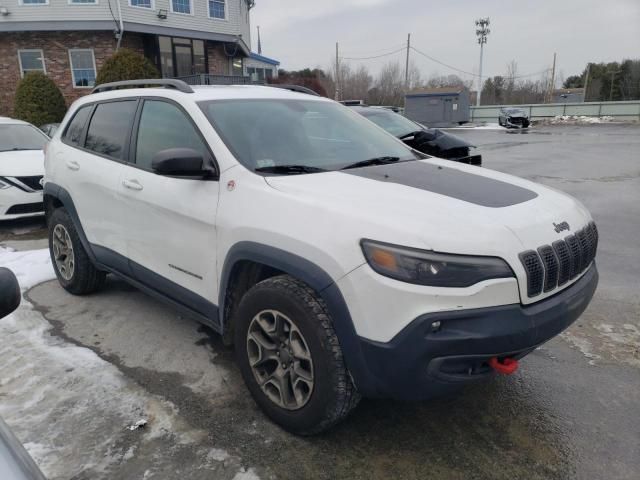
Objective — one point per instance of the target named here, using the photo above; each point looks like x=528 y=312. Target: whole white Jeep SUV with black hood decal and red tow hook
x=338 y=261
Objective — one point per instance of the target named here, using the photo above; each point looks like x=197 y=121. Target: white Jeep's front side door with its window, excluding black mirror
x=169 y=221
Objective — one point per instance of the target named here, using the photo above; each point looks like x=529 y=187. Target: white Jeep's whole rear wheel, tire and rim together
x=70 y=261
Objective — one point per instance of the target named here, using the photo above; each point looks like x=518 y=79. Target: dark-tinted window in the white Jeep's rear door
x=109 y=128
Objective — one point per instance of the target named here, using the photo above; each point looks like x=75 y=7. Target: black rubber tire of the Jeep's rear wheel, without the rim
x=86 y=278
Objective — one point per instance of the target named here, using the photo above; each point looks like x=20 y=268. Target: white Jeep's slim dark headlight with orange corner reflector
x=434 y=269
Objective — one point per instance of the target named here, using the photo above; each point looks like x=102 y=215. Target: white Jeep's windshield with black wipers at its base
x=264 y=134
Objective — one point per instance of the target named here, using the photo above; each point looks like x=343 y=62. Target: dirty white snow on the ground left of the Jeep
x=72 y=409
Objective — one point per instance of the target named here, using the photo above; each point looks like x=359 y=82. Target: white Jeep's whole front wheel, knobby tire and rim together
x=290 y=357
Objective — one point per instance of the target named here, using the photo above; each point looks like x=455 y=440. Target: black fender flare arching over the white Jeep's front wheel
x=318 y=279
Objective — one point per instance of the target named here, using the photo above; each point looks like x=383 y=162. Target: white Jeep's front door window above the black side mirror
x=163 y=126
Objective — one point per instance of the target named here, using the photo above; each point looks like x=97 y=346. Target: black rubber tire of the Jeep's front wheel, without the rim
x=333 y=395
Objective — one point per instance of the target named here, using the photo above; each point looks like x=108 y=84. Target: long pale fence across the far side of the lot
x=629 y=111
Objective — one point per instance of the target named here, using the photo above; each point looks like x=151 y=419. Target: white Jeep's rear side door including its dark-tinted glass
x=96 y=148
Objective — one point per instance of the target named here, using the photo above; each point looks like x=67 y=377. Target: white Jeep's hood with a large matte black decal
x=437 y=205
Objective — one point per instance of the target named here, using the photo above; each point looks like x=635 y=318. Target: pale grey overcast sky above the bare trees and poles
x=303 y=33
